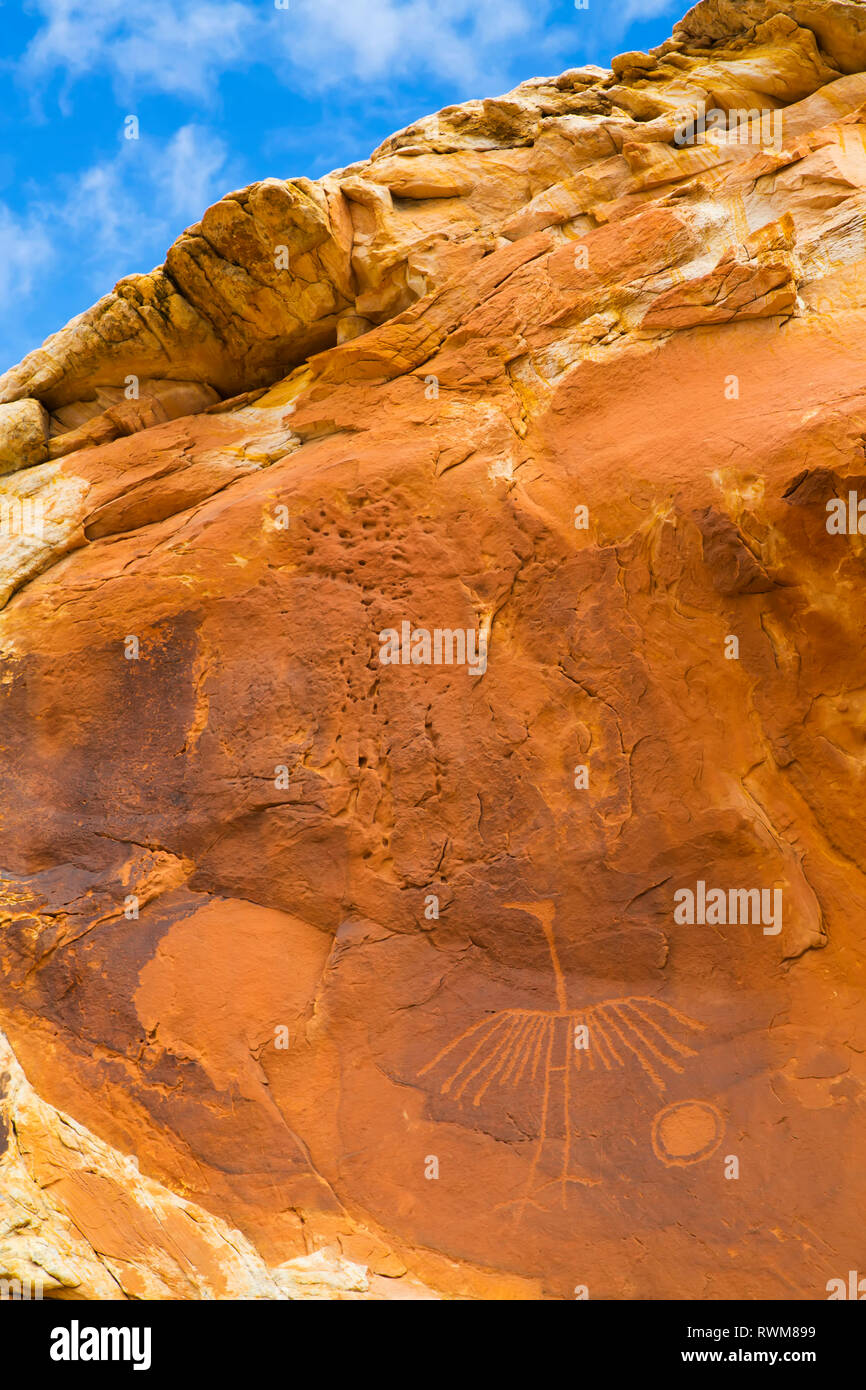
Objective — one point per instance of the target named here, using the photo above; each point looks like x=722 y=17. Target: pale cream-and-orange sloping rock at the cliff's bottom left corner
x=79 y=1220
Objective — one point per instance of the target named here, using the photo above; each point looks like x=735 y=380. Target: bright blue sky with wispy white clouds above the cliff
x=227 y=92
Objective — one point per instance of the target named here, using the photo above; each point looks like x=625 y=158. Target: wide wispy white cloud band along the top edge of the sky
x=181 y=49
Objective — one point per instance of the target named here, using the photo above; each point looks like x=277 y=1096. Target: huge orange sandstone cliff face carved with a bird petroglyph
x=432 y=789
